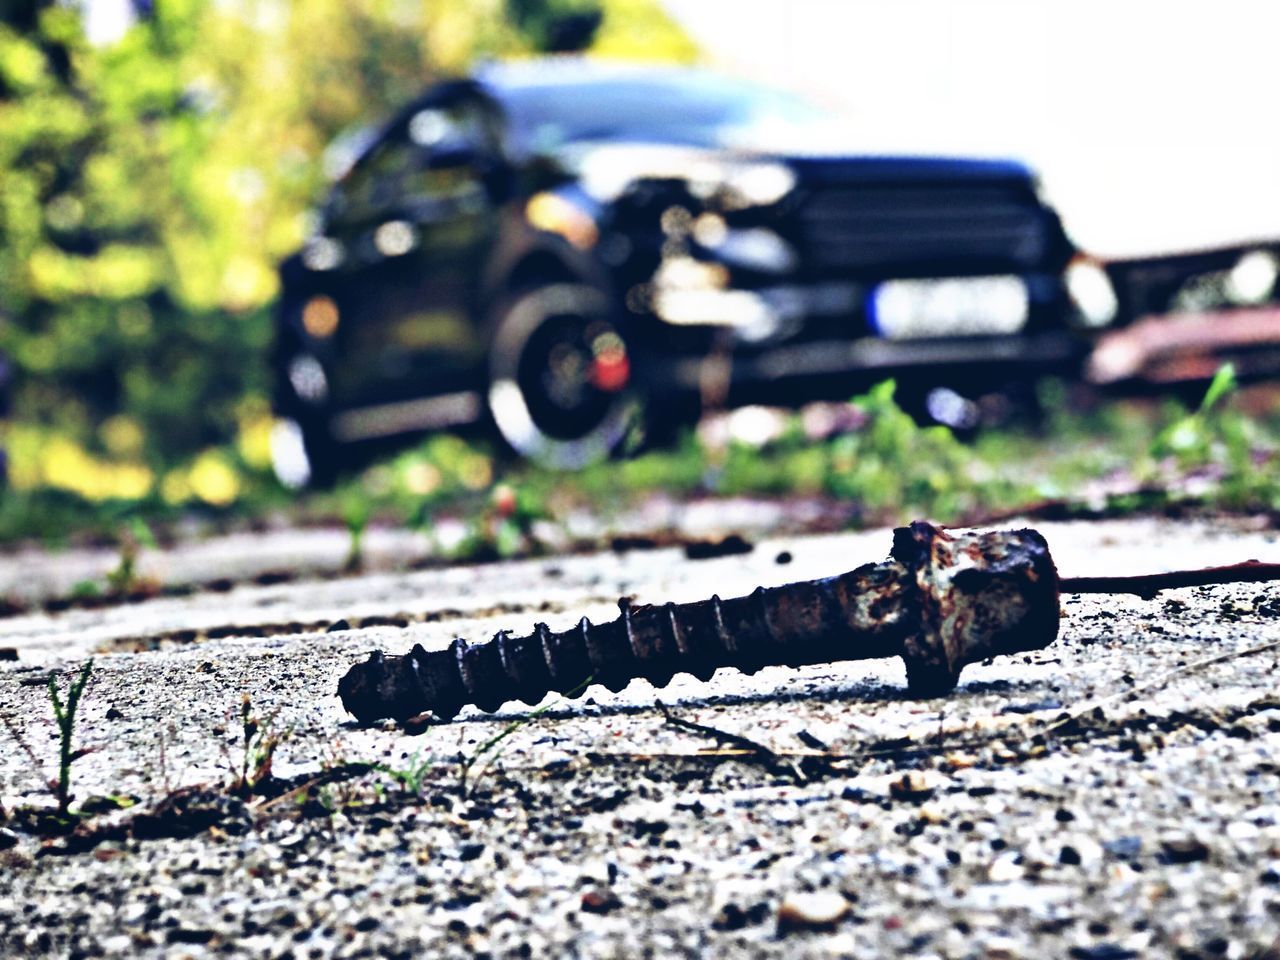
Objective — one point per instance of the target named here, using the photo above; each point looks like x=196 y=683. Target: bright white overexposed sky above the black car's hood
x=1154 y=124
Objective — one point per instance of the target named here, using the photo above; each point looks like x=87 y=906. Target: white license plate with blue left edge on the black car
x=968 y=307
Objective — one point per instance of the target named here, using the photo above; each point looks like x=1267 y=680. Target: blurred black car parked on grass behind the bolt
x=560 y=248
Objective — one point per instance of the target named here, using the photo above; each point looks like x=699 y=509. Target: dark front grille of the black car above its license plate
x=915 y=228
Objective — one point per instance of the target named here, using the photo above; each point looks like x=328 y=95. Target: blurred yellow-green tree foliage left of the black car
x=150 y=188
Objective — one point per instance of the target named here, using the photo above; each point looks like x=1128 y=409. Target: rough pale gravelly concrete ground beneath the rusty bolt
x=1113 y=797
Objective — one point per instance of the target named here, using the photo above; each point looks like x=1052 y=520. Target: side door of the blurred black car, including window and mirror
x=415 y=217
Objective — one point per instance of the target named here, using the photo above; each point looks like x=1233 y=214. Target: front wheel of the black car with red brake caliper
x=560 y=390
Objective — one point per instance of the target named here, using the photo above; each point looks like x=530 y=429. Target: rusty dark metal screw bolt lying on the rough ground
x=941 y=601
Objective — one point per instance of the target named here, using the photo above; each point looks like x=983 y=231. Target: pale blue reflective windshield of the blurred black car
x=685 y=108
